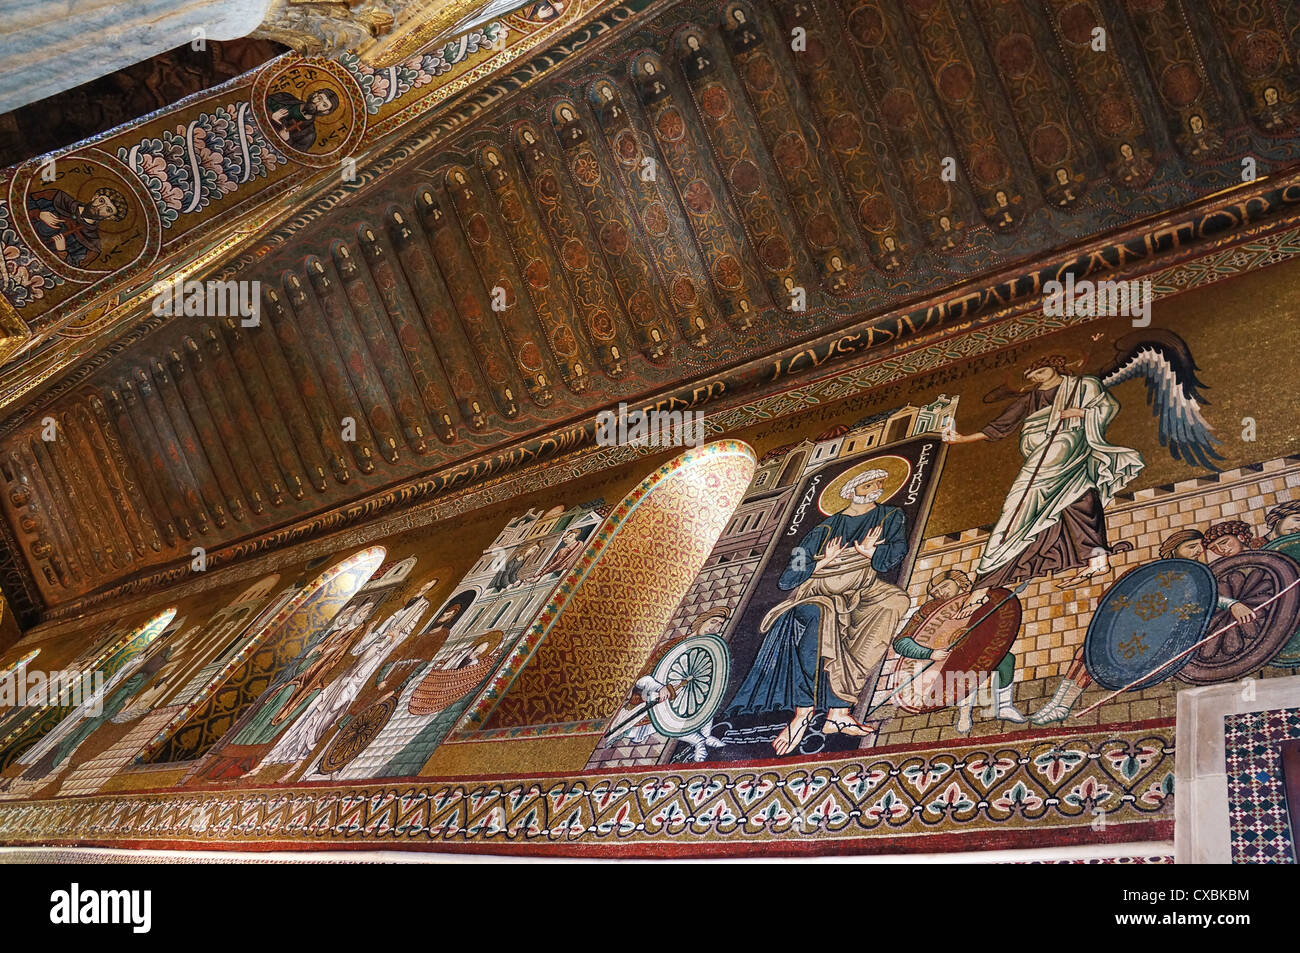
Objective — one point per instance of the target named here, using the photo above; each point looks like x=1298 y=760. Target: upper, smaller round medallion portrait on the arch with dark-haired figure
x=311 y=110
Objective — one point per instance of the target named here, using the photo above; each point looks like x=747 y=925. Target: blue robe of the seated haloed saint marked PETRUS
x=787 y=673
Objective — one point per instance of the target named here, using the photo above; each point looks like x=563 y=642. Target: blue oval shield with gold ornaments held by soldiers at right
x=1149 y=617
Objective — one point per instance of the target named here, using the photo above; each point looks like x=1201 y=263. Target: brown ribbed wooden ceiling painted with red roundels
x=716 y=183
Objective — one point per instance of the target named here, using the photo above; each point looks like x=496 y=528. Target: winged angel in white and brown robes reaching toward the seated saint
x=1054 y=519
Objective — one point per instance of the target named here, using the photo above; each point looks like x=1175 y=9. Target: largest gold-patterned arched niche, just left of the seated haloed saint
x=593 y=638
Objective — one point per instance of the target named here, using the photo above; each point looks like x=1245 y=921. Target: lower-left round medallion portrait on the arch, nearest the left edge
x=85 y=215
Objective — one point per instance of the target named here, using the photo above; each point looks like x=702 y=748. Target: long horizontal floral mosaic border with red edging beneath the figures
x=1025 y=790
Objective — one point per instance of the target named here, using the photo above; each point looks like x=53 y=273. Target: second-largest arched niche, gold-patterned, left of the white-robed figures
x=203 y=724
